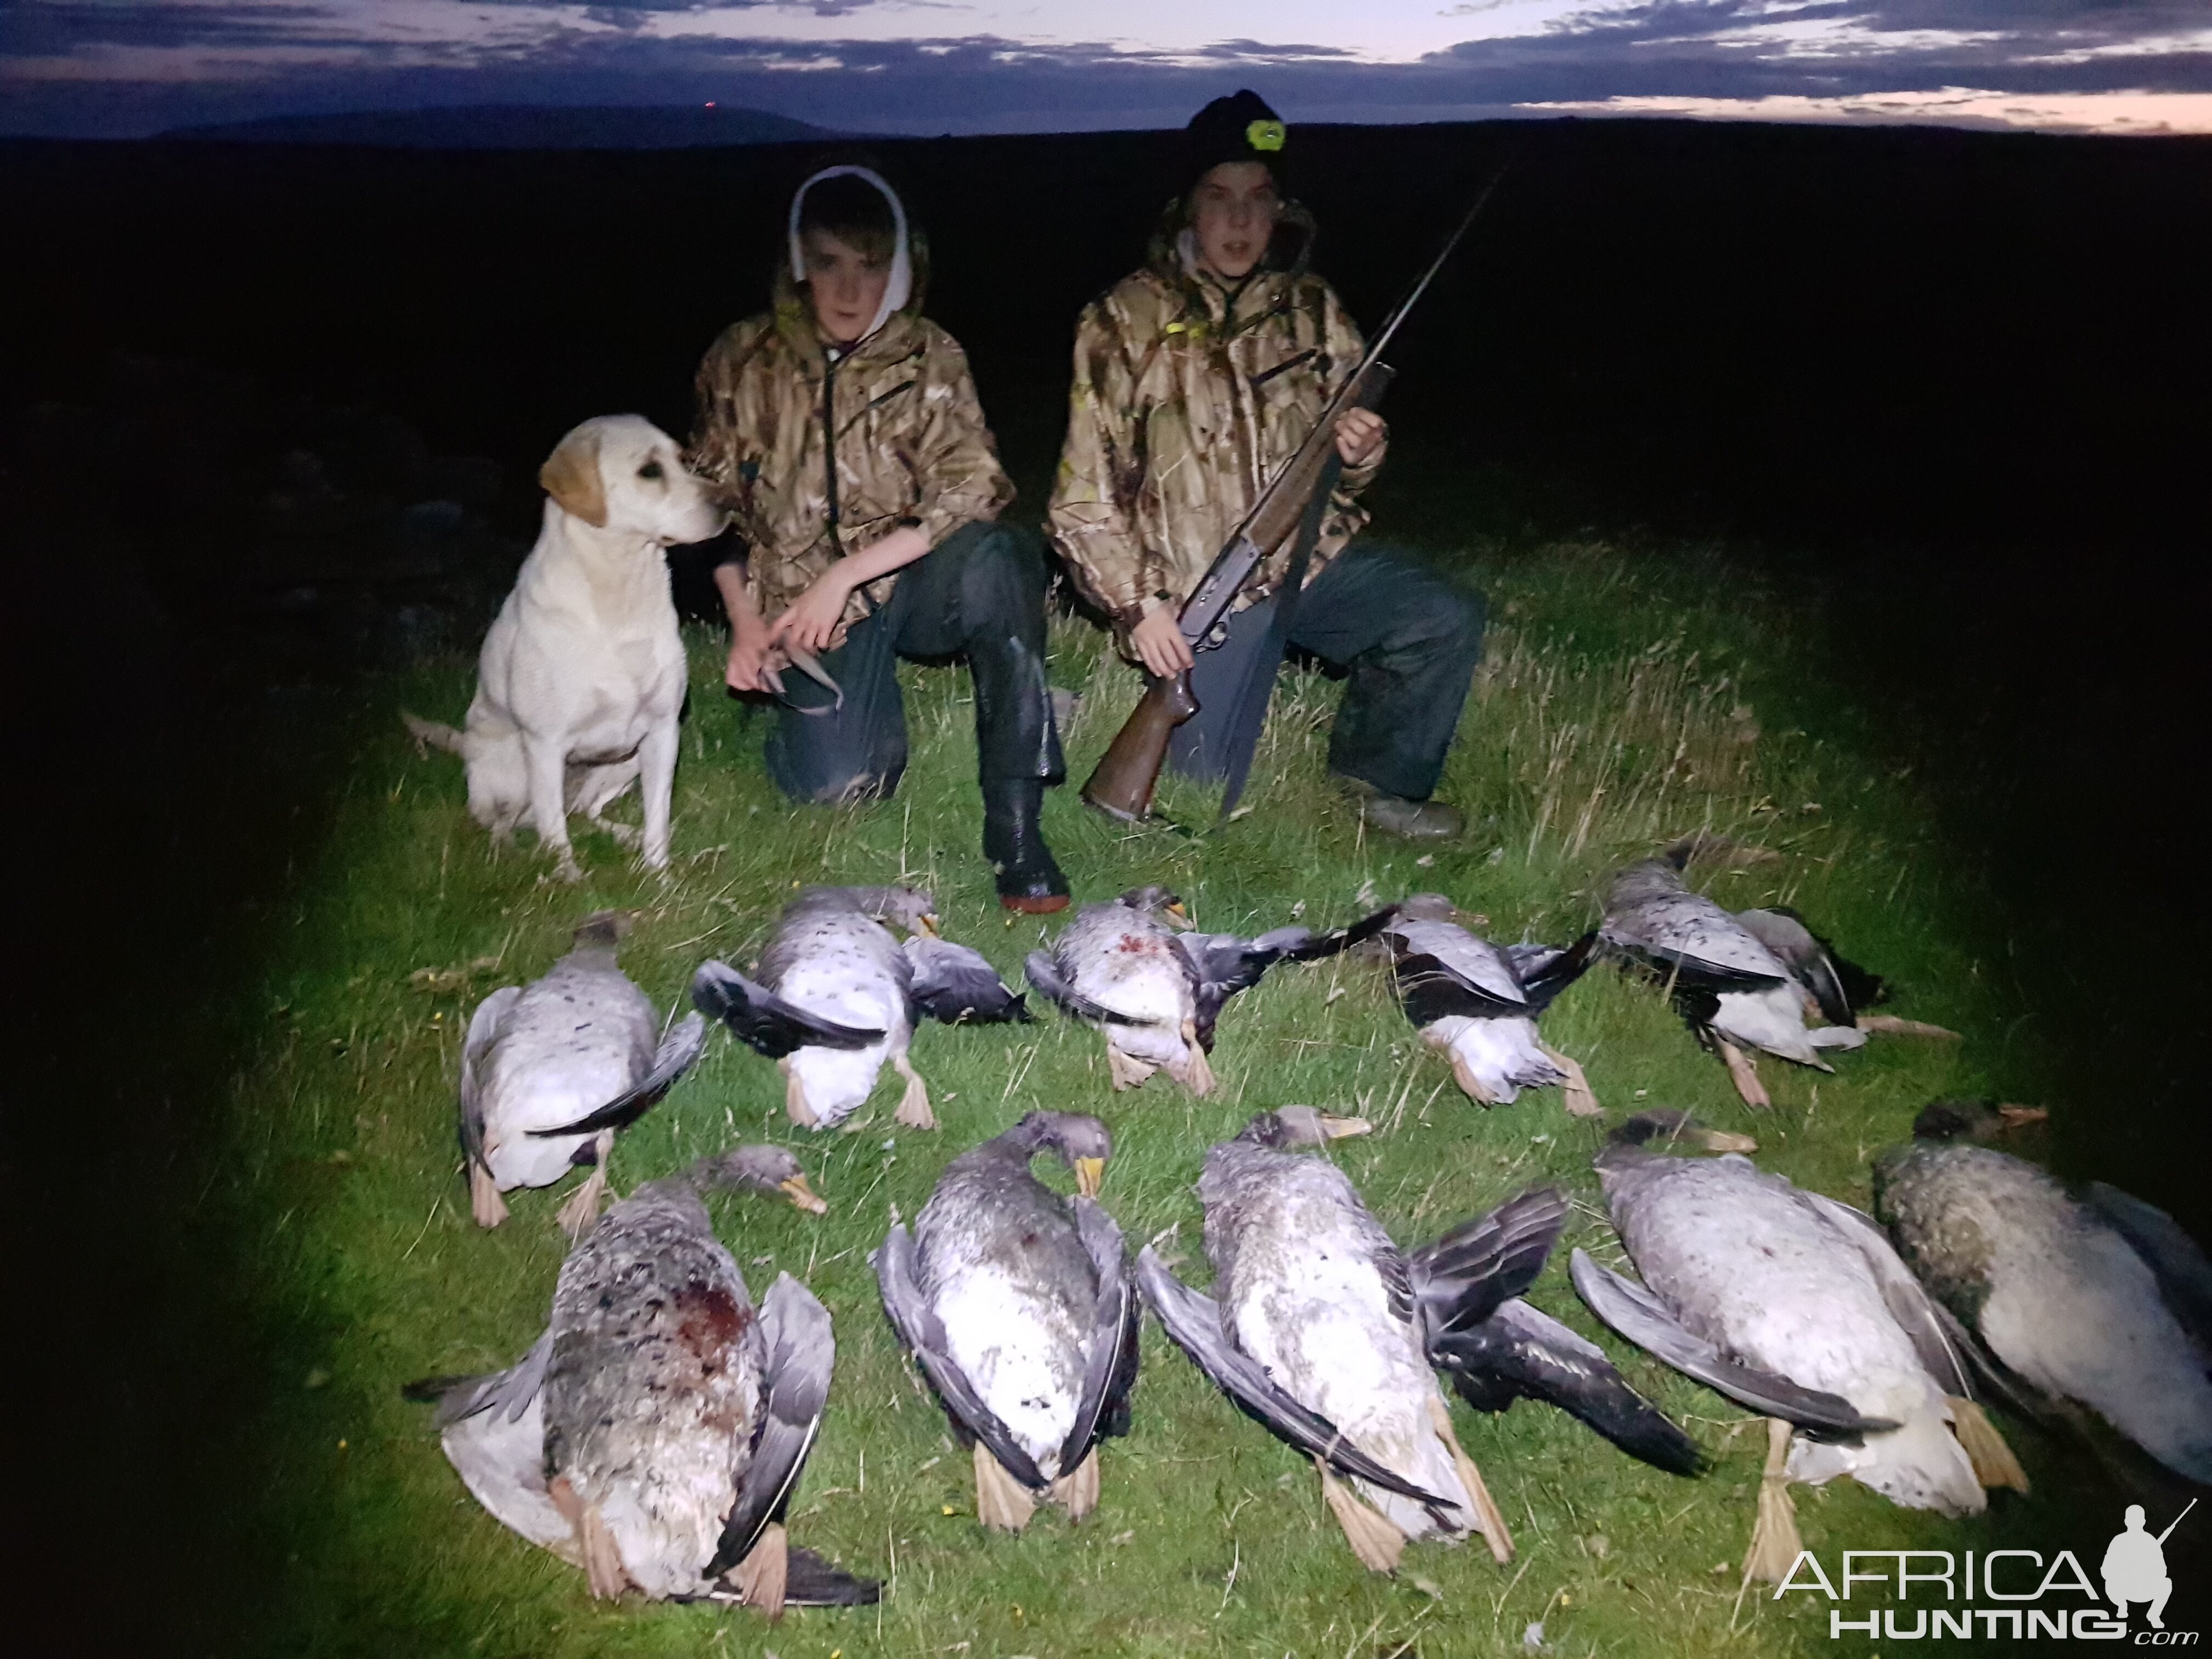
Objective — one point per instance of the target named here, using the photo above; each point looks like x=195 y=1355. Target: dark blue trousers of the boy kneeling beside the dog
x=979 y=594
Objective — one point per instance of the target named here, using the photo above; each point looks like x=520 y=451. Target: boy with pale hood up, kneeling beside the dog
x=848 y=444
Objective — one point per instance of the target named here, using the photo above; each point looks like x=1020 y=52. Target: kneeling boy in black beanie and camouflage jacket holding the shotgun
x=1196 y=382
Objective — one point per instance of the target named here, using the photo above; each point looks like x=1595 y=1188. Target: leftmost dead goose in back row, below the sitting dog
x=552 y=1070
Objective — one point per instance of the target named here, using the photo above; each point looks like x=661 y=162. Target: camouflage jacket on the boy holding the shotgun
x=1187 y=399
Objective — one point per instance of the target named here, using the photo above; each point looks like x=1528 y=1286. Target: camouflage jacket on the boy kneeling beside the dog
x=910 y=444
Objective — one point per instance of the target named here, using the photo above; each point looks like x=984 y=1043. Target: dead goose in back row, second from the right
x=1481 y=1003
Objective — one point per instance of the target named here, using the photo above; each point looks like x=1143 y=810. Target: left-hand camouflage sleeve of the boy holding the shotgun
x=1094 y=512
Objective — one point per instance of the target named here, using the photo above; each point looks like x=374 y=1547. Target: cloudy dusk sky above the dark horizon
x=125 y=67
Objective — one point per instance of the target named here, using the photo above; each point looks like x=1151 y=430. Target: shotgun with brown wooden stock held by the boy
x=1127 y=775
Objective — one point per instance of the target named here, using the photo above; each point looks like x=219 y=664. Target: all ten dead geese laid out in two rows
x=660 y=1428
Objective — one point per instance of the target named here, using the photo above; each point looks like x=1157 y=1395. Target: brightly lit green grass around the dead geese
x=1625 y=702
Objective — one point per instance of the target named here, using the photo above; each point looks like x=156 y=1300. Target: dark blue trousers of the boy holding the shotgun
x=1410 y=640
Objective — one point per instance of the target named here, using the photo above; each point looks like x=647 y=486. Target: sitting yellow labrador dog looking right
x=583 y=671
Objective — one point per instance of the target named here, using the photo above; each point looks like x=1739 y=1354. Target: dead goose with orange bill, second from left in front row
x=1021 y=1313
